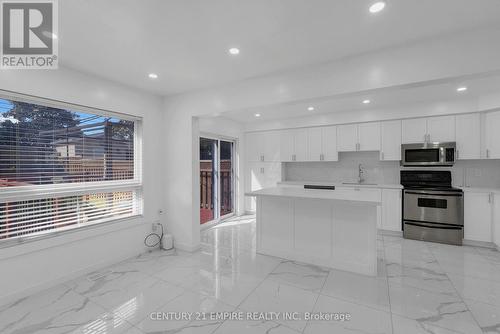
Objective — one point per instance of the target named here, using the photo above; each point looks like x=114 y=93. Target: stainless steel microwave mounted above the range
x=428 y=154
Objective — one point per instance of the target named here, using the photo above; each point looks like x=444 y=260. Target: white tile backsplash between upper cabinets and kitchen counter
x=472 y=173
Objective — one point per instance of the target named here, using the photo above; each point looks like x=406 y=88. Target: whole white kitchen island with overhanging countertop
x=331 y=228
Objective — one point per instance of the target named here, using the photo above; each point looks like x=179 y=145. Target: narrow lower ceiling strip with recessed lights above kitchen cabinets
x=382 y=98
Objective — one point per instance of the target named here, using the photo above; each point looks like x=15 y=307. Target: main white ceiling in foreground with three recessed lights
x=185 y=41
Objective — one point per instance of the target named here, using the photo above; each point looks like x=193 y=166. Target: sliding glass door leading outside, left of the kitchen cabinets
x=216 y=179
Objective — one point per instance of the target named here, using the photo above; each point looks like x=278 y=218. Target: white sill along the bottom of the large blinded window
x=25 y=245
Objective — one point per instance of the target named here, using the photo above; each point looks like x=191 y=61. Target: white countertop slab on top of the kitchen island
x=369 y=196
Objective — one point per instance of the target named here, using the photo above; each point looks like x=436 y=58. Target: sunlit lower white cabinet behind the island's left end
x=260 y=175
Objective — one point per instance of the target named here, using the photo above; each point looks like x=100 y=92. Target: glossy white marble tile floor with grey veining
x=420 y=288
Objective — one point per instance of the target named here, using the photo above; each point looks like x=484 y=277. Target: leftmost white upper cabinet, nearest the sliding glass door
x=263 y=146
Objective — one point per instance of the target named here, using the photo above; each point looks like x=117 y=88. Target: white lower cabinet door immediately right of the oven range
x=477 y=216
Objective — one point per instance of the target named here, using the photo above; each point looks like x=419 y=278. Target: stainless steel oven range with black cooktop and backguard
x=432 y=209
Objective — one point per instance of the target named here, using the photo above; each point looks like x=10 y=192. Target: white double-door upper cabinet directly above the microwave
x=430 y=129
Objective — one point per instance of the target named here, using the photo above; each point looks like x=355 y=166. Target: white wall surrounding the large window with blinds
x=34 y=265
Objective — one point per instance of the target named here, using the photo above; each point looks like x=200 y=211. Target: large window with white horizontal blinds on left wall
x=63 y=167
